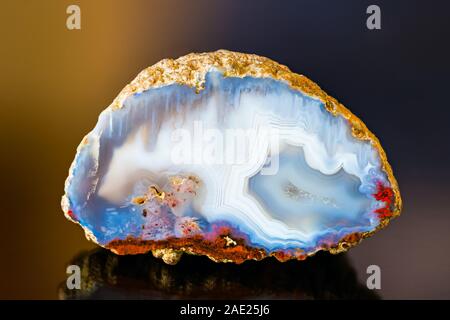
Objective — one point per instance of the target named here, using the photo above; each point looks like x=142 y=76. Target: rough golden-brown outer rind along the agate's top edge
x=191 y=70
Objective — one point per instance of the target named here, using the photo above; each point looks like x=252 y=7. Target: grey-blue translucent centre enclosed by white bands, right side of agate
x=307 y=200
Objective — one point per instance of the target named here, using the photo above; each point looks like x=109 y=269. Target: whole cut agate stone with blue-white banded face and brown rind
x=231 y=156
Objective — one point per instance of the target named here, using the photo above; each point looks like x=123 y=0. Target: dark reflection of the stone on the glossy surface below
x=108 y=276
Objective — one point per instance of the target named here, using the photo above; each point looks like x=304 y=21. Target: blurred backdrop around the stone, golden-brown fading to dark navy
x=55 y=82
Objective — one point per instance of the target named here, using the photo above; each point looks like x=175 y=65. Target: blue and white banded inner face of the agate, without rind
x=322 y=186
